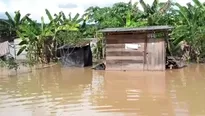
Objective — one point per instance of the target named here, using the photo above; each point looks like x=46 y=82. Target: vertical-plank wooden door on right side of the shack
x=155 y=58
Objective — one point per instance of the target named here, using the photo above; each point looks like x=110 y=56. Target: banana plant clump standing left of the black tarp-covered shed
x=33 y=37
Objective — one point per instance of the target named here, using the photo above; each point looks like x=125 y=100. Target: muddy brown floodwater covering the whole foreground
x=60 y=91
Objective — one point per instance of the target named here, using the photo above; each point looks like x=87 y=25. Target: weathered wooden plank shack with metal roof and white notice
x=141 y=48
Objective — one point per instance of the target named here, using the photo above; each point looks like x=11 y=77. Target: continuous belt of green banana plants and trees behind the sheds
x=41 y=40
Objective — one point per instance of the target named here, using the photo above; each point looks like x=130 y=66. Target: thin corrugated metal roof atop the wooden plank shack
x=148 y=28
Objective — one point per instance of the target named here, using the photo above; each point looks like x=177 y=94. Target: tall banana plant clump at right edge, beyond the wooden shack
x=190 y=28
